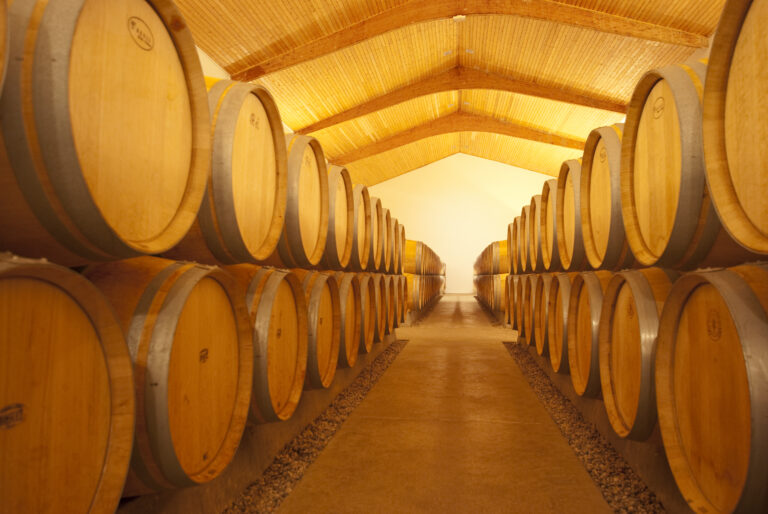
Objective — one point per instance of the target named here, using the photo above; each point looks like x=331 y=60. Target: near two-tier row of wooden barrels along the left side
x=268 y=269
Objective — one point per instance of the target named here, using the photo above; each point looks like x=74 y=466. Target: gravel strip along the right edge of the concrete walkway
x=622 y=488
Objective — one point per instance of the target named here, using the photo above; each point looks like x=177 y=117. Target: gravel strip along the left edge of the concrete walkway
x=279 y=479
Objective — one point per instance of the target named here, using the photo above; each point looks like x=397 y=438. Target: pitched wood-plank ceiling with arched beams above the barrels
x=388 y=86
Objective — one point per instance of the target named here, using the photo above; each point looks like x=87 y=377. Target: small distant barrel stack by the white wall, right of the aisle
x=491 y=278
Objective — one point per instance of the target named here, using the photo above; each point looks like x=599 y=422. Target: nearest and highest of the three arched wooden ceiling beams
x=419 y=11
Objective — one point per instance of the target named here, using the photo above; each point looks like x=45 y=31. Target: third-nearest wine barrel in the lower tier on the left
x=278 y=312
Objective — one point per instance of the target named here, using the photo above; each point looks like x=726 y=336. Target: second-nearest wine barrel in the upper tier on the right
x=668 y=215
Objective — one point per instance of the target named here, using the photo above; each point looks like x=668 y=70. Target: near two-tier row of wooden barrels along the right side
x=669 y=326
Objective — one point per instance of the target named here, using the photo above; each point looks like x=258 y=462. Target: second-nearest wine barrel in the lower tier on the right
x=629 y=324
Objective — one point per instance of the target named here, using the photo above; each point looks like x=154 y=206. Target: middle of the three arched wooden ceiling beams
x=465 y=78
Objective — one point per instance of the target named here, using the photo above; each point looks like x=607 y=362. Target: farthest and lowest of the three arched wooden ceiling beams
x=456 y=122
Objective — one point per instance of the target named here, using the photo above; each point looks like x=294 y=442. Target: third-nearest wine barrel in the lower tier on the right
x=584 y=308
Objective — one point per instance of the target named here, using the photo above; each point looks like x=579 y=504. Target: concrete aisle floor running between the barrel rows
x=452 y=426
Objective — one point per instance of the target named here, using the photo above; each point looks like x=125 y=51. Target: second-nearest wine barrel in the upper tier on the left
x=242 y=214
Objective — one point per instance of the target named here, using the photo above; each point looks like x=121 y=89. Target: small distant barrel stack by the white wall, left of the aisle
x=425 y=275
